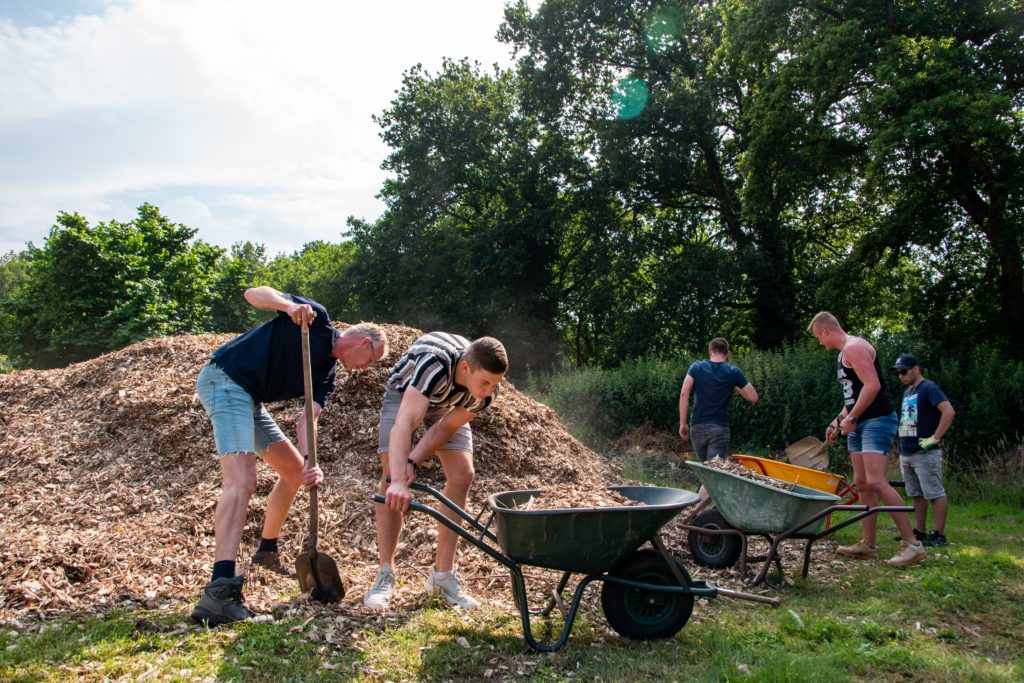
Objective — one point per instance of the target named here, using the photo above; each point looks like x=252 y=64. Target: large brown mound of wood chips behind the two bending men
x=110 y=485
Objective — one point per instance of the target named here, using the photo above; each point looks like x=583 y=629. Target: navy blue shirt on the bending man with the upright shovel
x=267 y=362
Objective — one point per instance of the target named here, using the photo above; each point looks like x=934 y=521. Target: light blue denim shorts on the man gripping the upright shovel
x=240 y=425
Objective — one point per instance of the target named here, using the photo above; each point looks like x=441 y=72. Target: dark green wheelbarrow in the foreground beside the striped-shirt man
x=647 y=593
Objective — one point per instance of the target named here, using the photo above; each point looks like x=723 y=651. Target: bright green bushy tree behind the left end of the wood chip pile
x=93 y=289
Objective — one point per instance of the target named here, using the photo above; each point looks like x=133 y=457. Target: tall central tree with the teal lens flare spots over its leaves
x=691 y=138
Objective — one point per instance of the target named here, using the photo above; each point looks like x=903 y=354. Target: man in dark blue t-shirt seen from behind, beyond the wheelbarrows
x=712 y=382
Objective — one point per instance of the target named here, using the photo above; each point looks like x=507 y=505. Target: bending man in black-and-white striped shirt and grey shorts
x=442 y=382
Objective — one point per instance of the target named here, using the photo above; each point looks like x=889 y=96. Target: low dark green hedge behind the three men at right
x=798 y=392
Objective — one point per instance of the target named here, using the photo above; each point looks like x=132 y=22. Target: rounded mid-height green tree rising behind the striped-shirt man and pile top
x=472 y=230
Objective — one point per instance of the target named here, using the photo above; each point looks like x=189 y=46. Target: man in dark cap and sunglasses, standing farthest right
x=925 y=419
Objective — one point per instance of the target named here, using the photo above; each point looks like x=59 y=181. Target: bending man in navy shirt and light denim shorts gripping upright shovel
x=263 y=366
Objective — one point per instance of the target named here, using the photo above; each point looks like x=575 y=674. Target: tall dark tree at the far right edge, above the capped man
x=944 y=118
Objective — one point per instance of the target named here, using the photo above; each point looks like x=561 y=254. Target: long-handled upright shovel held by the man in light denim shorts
x=317 y=573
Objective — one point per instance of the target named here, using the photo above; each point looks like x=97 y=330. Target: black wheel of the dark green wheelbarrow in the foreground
x=647 y=615
